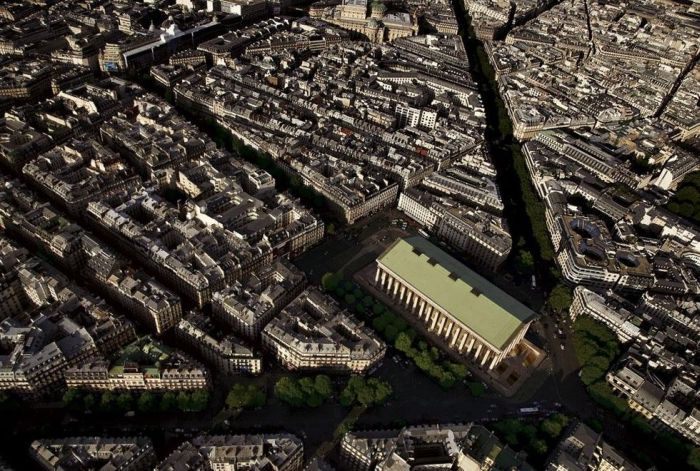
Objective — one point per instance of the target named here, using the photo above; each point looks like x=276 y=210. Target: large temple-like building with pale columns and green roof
x=474 y=317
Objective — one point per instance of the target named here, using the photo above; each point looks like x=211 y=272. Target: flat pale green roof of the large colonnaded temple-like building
x=477 y=303
